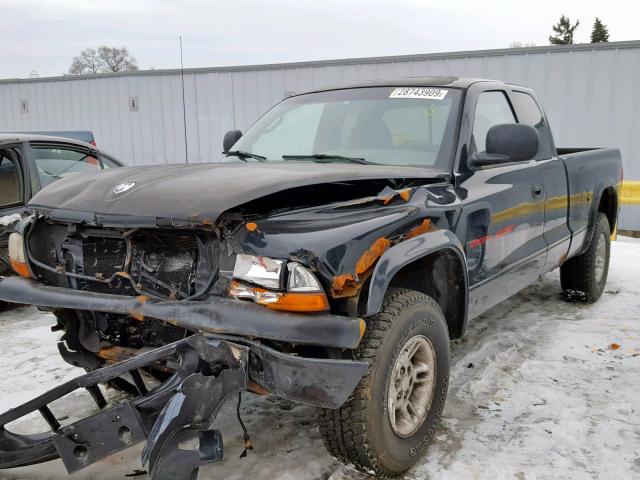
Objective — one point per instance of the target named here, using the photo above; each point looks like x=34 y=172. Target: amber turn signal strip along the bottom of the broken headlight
x=289 y=301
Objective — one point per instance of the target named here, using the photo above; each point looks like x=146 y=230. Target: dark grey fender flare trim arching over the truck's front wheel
x=406 y=252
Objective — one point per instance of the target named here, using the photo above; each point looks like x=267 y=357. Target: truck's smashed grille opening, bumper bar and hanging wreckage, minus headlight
x=136 y=302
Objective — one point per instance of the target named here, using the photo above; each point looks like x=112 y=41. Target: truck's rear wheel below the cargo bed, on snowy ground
x=584 y=277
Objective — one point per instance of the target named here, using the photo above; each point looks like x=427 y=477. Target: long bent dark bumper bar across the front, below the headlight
x=219 y=315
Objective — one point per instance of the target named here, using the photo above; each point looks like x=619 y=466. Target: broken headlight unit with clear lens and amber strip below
x=303 y=291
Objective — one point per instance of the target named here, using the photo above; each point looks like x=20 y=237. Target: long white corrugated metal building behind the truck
x=591 y=93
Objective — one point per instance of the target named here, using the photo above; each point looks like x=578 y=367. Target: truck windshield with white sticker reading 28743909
x=383 y=125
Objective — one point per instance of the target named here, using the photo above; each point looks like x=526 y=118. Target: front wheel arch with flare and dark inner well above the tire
x=433 y=263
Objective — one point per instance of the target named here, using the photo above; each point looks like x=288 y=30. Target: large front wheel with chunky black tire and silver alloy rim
x=361 y=432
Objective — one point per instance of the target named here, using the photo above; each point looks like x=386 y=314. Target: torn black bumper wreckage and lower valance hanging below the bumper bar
x=177 y=412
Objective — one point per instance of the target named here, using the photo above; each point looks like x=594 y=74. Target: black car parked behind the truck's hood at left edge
x=30 y=162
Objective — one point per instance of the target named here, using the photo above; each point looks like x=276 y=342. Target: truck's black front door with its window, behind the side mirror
x=504 y=215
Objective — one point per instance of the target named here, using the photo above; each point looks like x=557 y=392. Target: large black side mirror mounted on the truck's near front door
x=508 y=142
